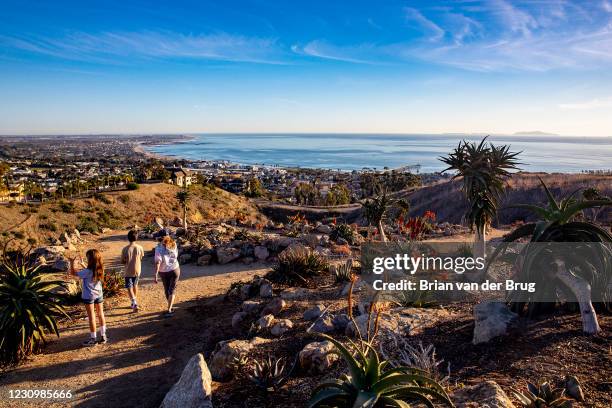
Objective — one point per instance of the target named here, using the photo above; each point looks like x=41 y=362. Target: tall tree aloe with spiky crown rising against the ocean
x=483 y=168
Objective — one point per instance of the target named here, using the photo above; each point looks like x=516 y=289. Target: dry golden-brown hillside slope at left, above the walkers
x=123 y=209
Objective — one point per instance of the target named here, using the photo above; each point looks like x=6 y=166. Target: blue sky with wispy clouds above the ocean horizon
x=495 y=66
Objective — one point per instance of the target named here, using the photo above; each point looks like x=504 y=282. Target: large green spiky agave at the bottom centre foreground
x=371 y=383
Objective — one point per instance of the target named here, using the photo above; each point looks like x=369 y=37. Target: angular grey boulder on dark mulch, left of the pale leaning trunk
x=491 y=319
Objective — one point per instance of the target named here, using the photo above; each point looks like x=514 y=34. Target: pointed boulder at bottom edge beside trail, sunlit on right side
x=193 y=389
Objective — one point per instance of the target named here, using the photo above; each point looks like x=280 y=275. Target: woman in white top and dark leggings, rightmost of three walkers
x=167 y=267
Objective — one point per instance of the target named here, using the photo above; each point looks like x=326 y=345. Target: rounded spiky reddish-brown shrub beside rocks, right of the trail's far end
x=298 y=266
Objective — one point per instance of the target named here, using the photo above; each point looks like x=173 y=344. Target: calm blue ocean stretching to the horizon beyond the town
x=357 y=151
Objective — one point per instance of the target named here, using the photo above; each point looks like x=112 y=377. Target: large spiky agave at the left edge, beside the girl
x=28 y=309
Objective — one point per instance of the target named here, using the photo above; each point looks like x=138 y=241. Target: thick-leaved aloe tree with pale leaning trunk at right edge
x=582 y=275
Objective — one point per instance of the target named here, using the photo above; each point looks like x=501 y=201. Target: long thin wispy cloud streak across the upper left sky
x=112 y=47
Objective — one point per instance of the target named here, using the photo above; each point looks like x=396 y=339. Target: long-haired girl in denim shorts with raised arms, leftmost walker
x=92 y=276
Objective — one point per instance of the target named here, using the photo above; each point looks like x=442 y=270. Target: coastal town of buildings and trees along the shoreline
x=40 y=169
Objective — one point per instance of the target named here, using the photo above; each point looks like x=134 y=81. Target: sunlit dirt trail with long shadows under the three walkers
x=146 y=352
